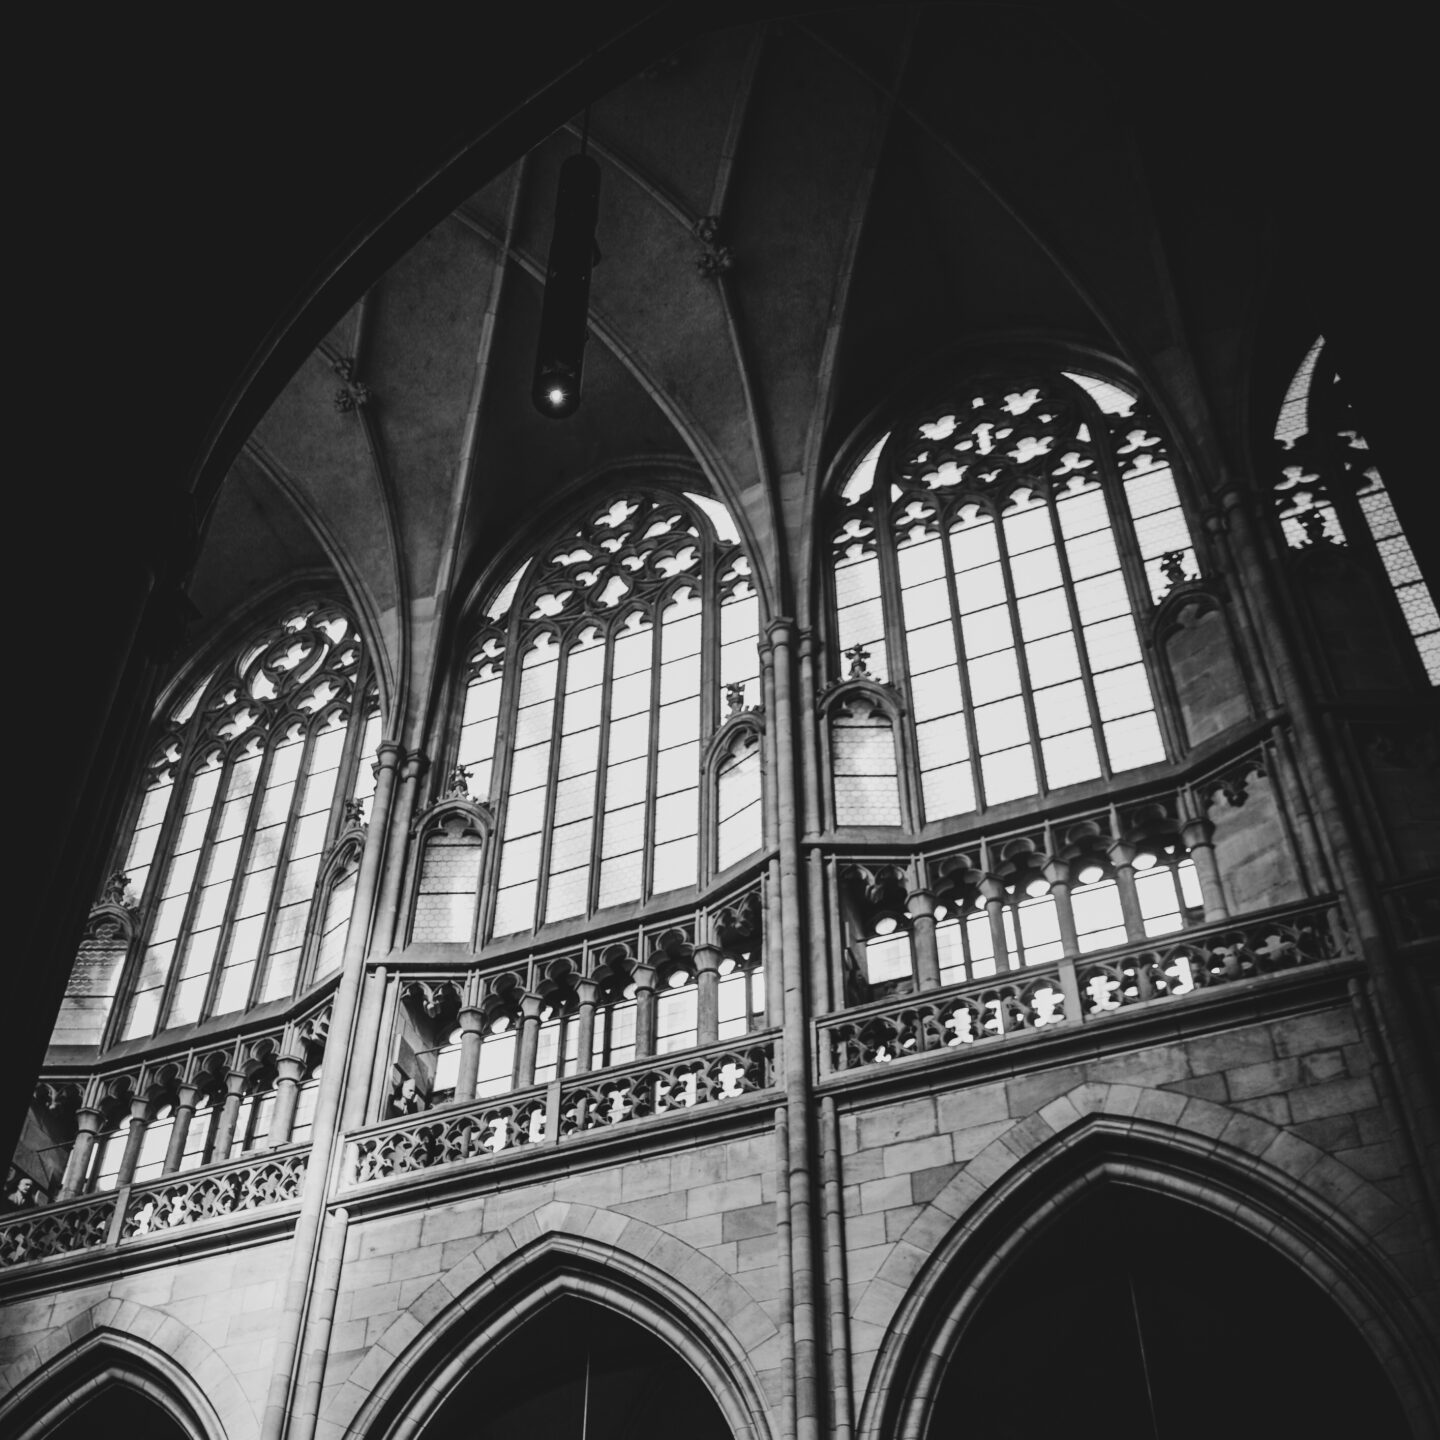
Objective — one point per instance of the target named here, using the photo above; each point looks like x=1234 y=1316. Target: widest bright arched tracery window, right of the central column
x=996 y=558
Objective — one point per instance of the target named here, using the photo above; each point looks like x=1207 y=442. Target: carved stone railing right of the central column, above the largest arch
x=1081 y=990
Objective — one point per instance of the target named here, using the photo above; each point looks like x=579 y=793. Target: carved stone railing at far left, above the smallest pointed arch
x=155 y=1207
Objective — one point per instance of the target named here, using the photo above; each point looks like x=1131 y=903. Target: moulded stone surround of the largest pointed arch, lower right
x=1239 y=1183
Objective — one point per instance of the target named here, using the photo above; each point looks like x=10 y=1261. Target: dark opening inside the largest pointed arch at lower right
x=1138 y=1315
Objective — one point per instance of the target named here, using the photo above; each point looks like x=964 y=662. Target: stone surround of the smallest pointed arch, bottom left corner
x=138 y=1347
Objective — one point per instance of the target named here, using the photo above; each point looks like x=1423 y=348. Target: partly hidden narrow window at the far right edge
x=1330 y=492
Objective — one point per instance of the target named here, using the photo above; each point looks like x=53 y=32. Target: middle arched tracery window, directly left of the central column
x=593 y=689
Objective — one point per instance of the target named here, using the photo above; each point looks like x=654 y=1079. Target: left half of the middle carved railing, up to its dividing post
x=449 y=1135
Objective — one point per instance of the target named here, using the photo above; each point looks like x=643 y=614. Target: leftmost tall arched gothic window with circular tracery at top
x=258 y=771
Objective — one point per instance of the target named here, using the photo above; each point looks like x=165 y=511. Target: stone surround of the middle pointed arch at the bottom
x=557 y=1251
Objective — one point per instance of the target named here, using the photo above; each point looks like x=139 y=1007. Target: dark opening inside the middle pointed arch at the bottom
x=580 y=1372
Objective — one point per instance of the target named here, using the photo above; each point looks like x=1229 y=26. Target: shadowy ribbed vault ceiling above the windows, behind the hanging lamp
x=892 y=182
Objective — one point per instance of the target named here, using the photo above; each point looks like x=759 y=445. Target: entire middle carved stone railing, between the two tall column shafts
x=562 y=1111
